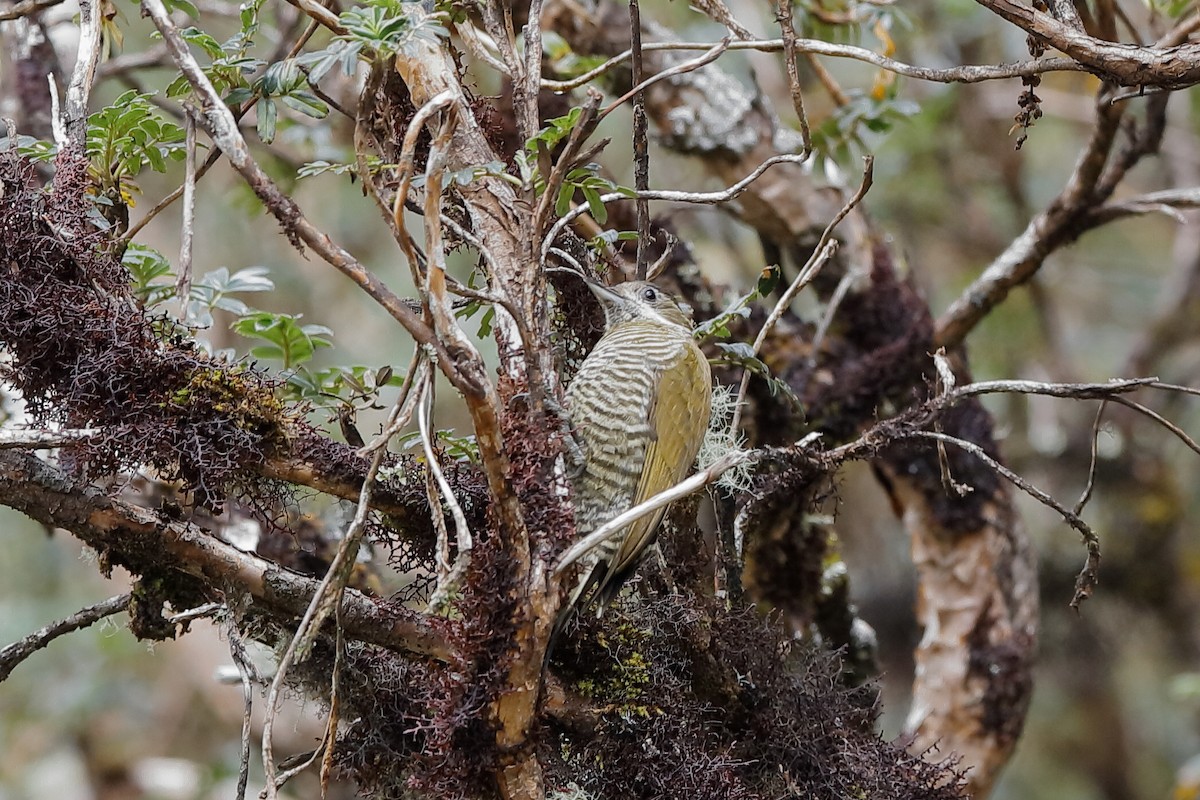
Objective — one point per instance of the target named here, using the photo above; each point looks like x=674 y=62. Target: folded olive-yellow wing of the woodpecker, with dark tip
x=679 y=425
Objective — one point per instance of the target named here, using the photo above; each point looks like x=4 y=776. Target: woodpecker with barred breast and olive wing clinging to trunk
x=640 y=407
